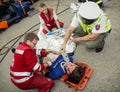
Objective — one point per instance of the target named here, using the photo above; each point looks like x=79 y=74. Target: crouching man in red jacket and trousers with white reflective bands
x=25 y=69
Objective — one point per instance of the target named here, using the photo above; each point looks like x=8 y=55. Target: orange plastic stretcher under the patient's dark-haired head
x=83 y=82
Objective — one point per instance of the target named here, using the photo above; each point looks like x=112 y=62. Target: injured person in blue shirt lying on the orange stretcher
x=59 y=67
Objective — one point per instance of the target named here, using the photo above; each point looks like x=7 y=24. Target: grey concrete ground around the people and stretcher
x=106 y=64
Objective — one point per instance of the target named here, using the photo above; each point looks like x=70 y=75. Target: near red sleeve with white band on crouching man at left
x=31 y=61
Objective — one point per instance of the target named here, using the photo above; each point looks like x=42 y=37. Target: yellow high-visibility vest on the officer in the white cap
x=88 y=28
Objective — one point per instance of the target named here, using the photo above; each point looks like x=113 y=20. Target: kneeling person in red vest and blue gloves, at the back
x=49 y=19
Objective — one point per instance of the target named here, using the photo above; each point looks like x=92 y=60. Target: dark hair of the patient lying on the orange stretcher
x=76 y=75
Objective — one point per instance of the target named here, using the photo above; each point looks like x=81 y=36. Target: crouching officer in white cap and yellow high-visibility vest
x=89 y=24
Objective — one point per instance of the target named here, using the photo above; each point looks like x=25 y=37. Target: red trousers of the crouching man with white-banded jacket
x=38 y=82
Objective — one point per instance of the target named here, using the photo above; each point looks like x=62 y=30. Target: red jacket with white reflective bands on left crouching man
x=24 y=65
